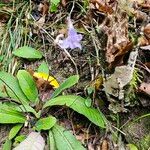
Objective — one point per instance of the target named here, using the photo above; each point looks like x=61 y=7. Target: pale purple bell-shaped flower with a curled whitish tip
x=73 y=39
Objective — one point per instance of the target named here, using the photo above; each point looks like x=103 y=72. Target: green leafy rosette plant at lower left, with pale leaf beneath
x=21 y=111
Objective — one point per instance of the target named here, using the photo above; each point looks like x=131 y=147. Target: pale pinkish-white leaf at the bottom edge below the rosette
x=34 y=141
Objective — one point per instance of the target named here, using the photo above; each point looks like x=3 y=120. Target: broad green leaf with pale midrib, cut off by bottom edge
x=65 y=140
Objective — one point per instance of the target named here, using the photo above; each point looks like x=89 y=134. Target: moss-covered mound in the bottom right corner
x=138 y=133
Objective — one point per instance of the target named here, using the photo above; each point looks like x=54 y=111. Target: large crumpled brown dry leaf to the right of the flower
x=118 y=42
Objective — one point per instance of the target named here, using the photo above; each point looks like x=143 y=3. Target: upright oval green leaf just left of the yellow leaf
x=27 y=85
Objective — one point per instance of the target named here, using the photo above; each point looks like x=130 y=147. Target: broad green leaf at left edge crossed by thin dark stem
x=11 y=83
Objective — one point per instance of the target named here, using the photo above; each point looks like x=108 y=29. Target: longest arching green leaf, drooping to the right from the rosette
x=78 y=104
